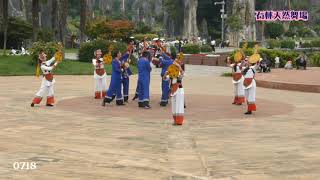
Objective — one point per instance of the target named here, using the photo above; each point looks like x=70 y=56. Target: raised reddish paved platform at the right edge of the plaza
x=296 y=80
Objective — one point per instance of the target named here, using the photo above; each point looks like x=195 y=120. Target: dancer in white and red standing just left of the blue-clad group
x=100 y=75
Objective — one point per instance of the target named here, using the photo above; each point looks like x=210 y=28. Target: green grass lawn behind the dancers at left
x=21 y=66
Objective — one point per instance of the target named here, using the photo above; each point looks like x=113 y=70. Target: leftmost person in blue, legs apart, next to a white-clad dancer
x=115 y=90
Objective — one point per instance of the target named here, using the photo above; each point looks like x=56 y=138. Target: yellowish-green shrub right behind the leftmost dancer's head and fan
x=49 y=48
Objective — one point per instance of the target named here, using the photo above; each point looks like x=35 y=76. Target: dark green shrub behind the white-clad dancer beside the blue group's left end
x=87 y=49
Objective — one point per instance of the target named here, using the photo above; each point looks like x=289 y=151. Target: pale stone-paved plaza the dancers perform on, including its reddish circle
x=79 y=139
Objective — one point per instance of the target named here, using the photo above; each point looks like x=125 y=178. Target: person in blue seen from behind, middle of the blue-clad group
x=144 y=70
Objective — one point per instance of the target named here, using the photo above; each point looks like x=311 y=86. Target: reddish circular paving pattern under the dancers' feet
x=199 y=107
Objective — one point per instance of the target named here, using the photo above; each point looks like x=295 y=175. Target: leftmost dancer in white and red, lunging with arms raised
x=48 y=81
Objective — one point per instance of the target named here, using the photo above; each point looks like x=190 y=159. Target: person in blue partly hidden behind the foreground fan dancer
x=165 y=62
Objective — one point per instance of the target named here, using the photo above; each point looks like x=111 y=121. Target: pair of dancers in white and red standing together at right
x=244 y=84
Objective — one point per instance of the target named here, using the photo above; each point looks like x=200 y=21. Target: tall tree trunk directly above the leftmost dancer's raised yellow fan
x=63 y=20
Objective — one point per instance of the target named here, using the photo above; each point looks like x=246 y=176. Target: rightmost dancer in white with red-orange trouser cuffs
x=250 y=86
